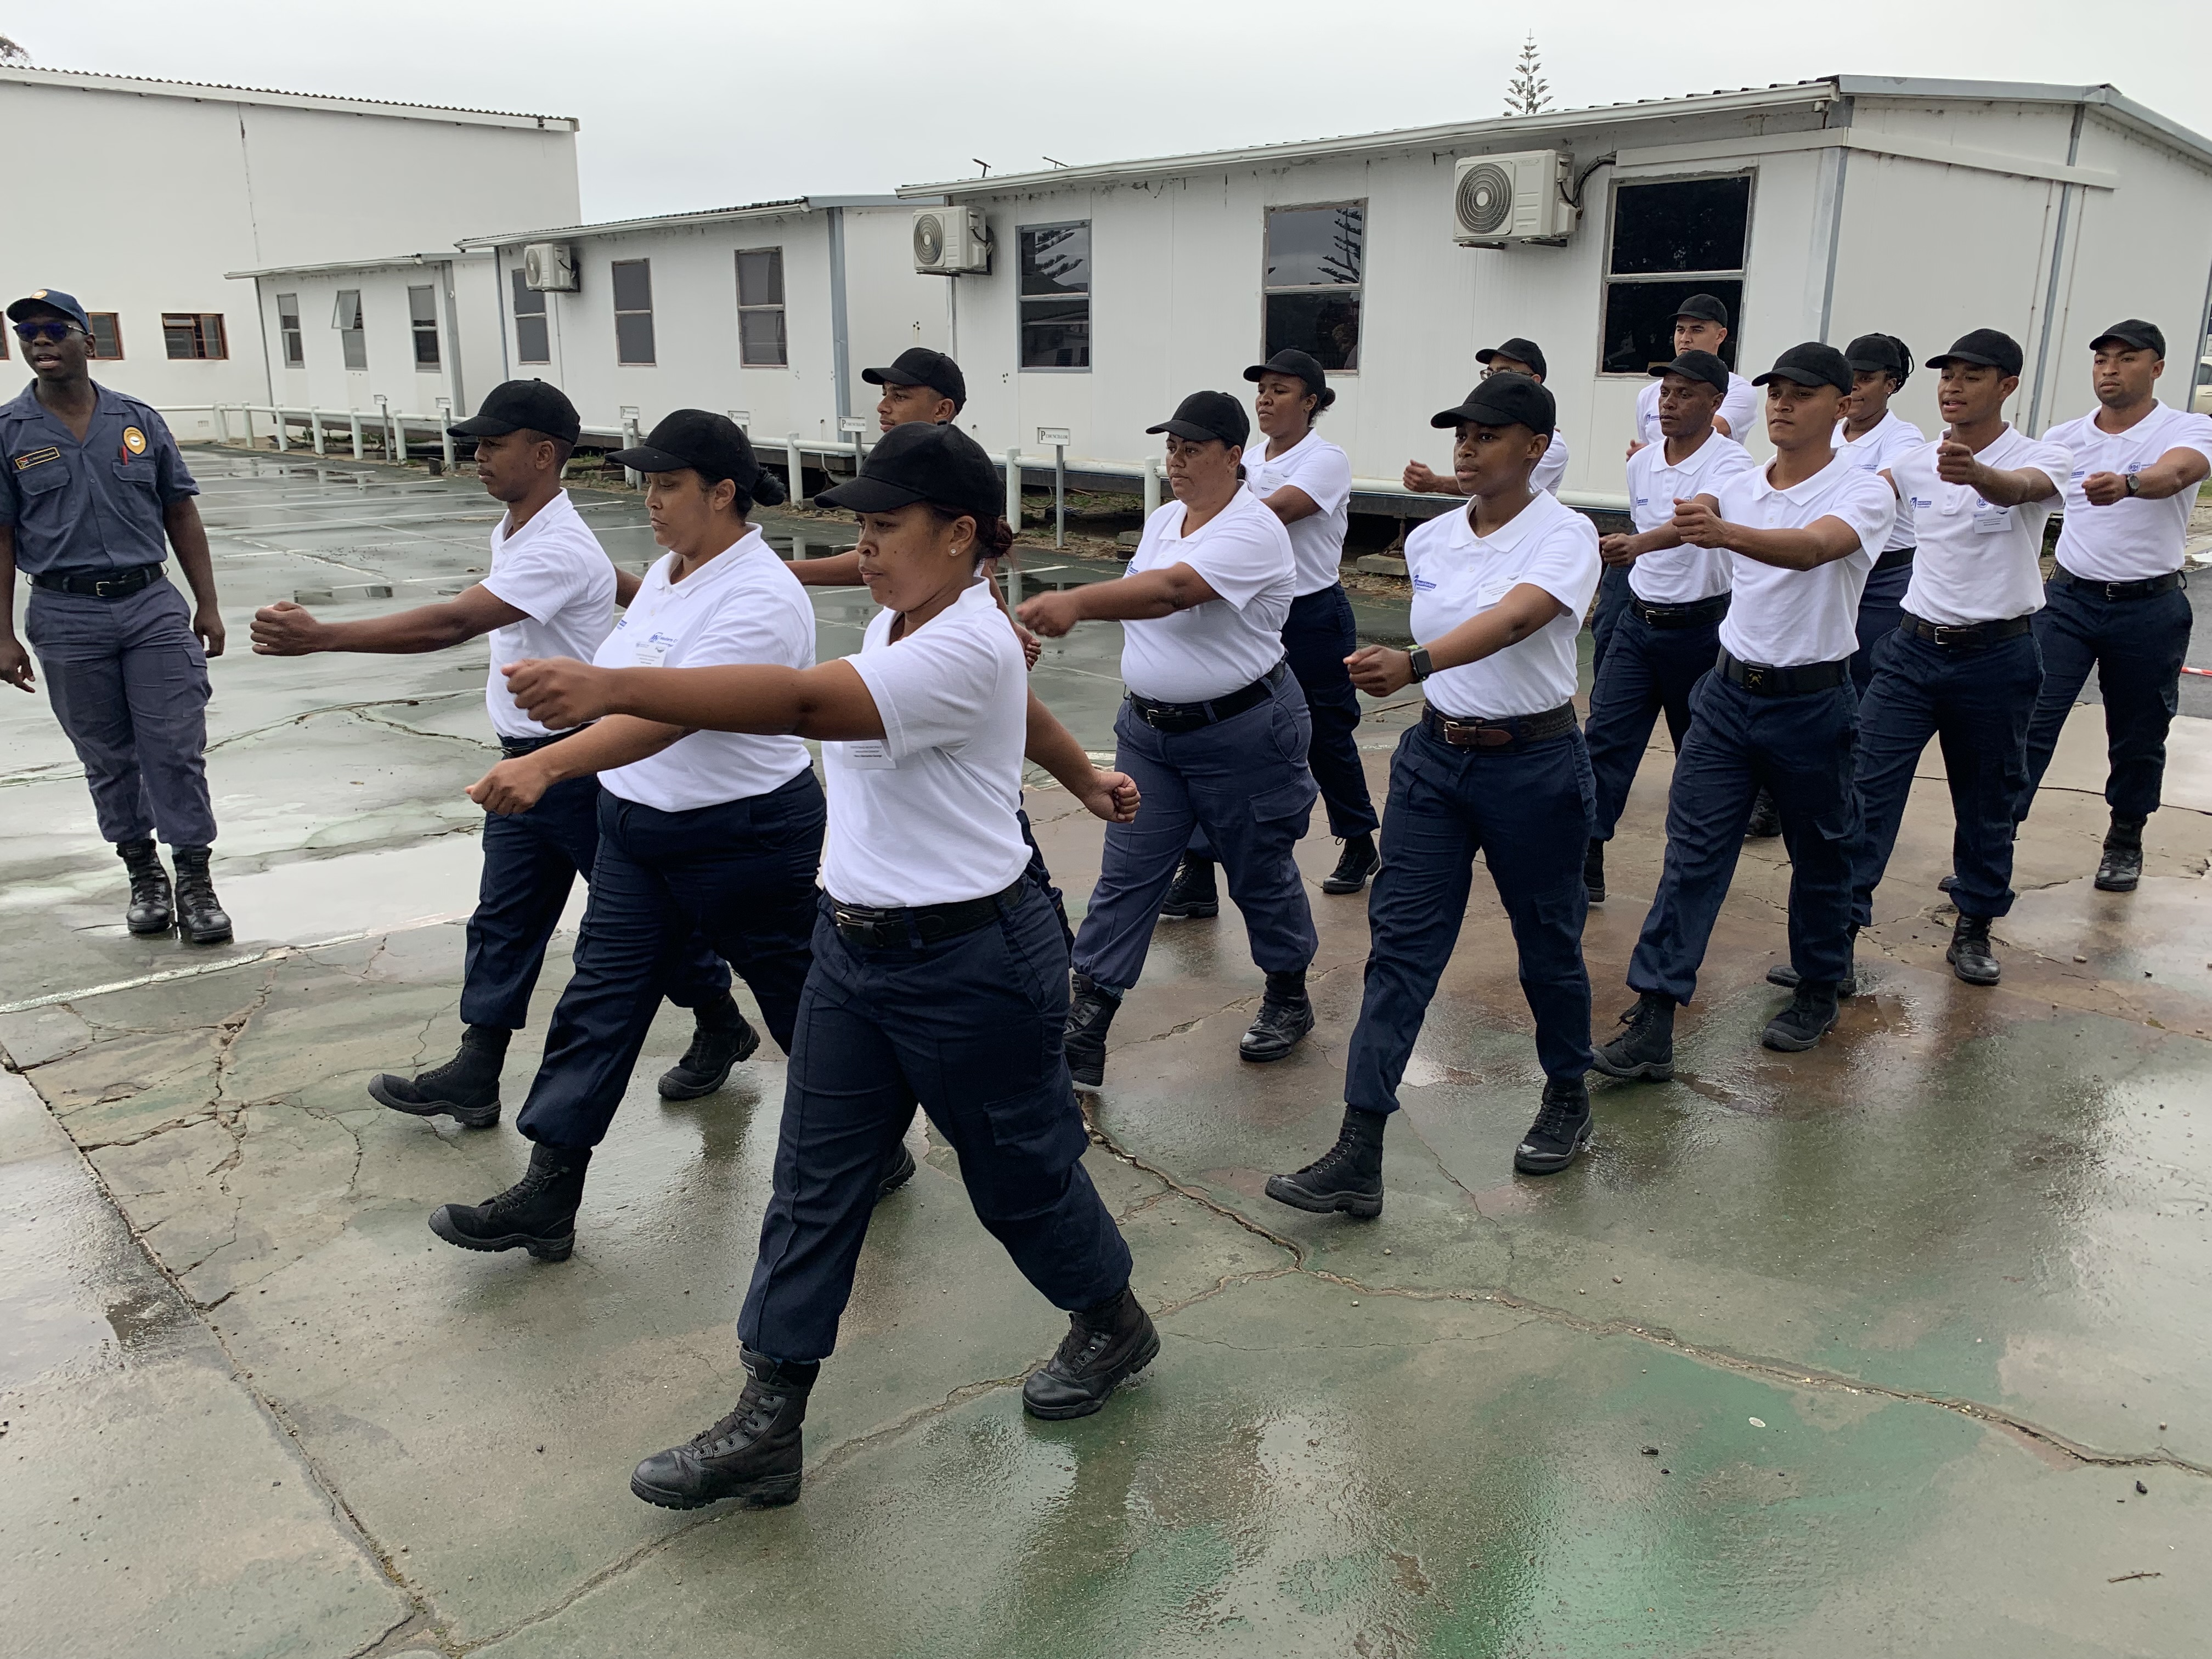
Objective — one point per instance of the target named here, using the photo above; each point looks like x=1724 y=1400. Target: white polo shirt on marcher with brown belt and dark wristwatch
x=1459 y=576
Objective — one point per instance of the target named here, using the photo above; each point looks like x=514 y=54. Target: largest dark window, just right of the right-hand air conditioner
x=1671 y=240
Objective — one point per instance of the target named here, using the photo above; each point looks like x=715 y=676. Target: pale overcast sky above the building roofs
x=693 y=105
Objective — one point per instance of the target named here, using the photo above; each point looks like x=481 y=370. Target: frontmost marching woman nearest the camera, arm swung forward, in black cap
x=939 y=972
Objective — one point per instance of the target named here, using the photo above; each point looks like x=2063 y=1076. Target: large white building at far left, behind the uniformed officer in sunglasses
x=167 y=191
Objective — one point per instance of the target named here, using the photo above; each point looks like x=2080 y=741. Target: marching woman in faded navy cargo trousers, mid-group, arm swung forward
x=1213 y=731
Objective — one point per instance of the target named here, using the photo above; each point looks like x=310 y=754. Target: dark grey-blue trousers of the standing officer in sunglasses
x=129 y=685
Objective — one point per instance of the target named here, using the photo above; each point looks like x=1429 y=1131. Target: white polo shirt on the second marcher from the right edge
x=1979 y=563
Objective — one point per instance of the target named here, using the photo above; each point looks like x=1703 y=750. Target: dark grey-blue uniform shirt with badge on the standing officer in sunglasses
x=94 y=505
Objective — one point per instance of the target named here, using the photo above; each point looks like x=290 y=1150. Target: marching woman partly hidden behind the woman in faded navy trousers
x=1306 y=481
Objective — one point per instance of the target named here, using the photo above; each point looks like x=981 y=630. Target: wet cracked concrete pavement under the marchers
x=1850 y=1353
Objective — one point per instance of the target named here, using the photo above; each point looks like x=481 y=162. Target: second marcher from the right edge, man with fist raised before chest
x=1963 y=667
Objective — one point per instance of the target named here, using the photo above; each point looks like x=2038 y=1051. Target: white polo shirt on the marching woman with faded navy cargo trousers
x=1229 y=643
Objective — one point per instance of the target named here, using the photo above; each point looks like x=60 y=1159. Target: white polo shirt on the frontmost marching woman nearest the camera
x=926 y=813
